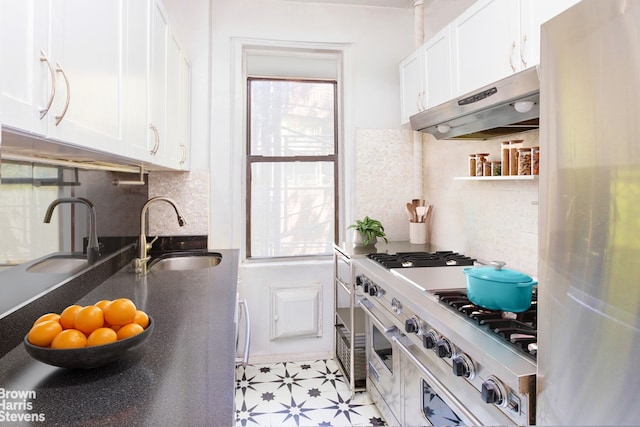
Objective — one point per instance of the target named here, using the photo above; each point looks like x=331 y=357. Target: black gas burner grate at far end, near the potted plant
x=421 y=259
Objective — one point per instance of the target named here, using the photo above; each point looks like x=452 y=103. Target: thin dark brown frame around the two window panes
x=251 y=158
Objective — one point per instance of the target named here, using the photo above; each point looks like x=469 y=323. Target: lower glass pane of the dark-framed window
x=292 y=208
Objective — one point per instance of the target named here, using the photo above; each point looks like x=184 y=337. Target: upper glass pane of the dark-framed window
x=292 y=118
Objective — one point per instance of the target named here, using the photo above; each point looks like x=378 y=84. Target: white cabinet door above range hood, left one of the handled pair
x=486 y=41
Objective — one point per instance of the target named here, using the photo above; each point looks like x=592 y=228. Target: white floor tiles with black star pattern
x=300 y=394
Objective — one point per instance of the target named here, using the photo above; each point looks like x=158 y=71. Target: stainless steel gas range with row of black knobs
x=434 y=358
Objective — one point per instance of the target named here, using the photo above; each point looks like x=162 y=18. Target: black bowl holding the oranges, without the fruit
x=88 y=357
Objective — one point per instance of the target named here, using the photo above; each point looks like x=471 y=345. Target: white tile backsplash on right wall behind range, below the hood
x=491 y=220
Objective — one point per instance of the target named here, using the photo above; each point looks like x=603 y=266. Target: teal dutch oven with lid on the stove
x=497 y=288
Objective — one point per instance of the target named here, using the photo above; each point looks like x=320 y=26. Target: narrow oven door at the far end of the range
x=383 y=365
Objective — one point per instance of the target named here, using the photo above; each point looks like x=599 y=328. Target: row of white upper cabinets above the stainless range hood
x=489 y=41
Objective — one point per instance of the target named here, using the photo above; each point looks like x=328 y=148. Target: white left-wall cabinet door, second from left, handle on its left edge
x=87 y=44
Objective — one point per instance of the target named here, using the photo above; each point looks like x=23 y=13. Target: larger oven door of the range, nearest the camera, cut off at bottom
x=426 y=399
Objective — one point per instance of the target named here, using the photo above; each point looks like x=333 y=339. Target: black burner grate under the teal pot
x=517 y=329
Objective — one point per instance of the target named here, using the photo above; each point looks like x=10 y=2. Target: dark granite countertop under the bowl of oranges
x=183 y=375
